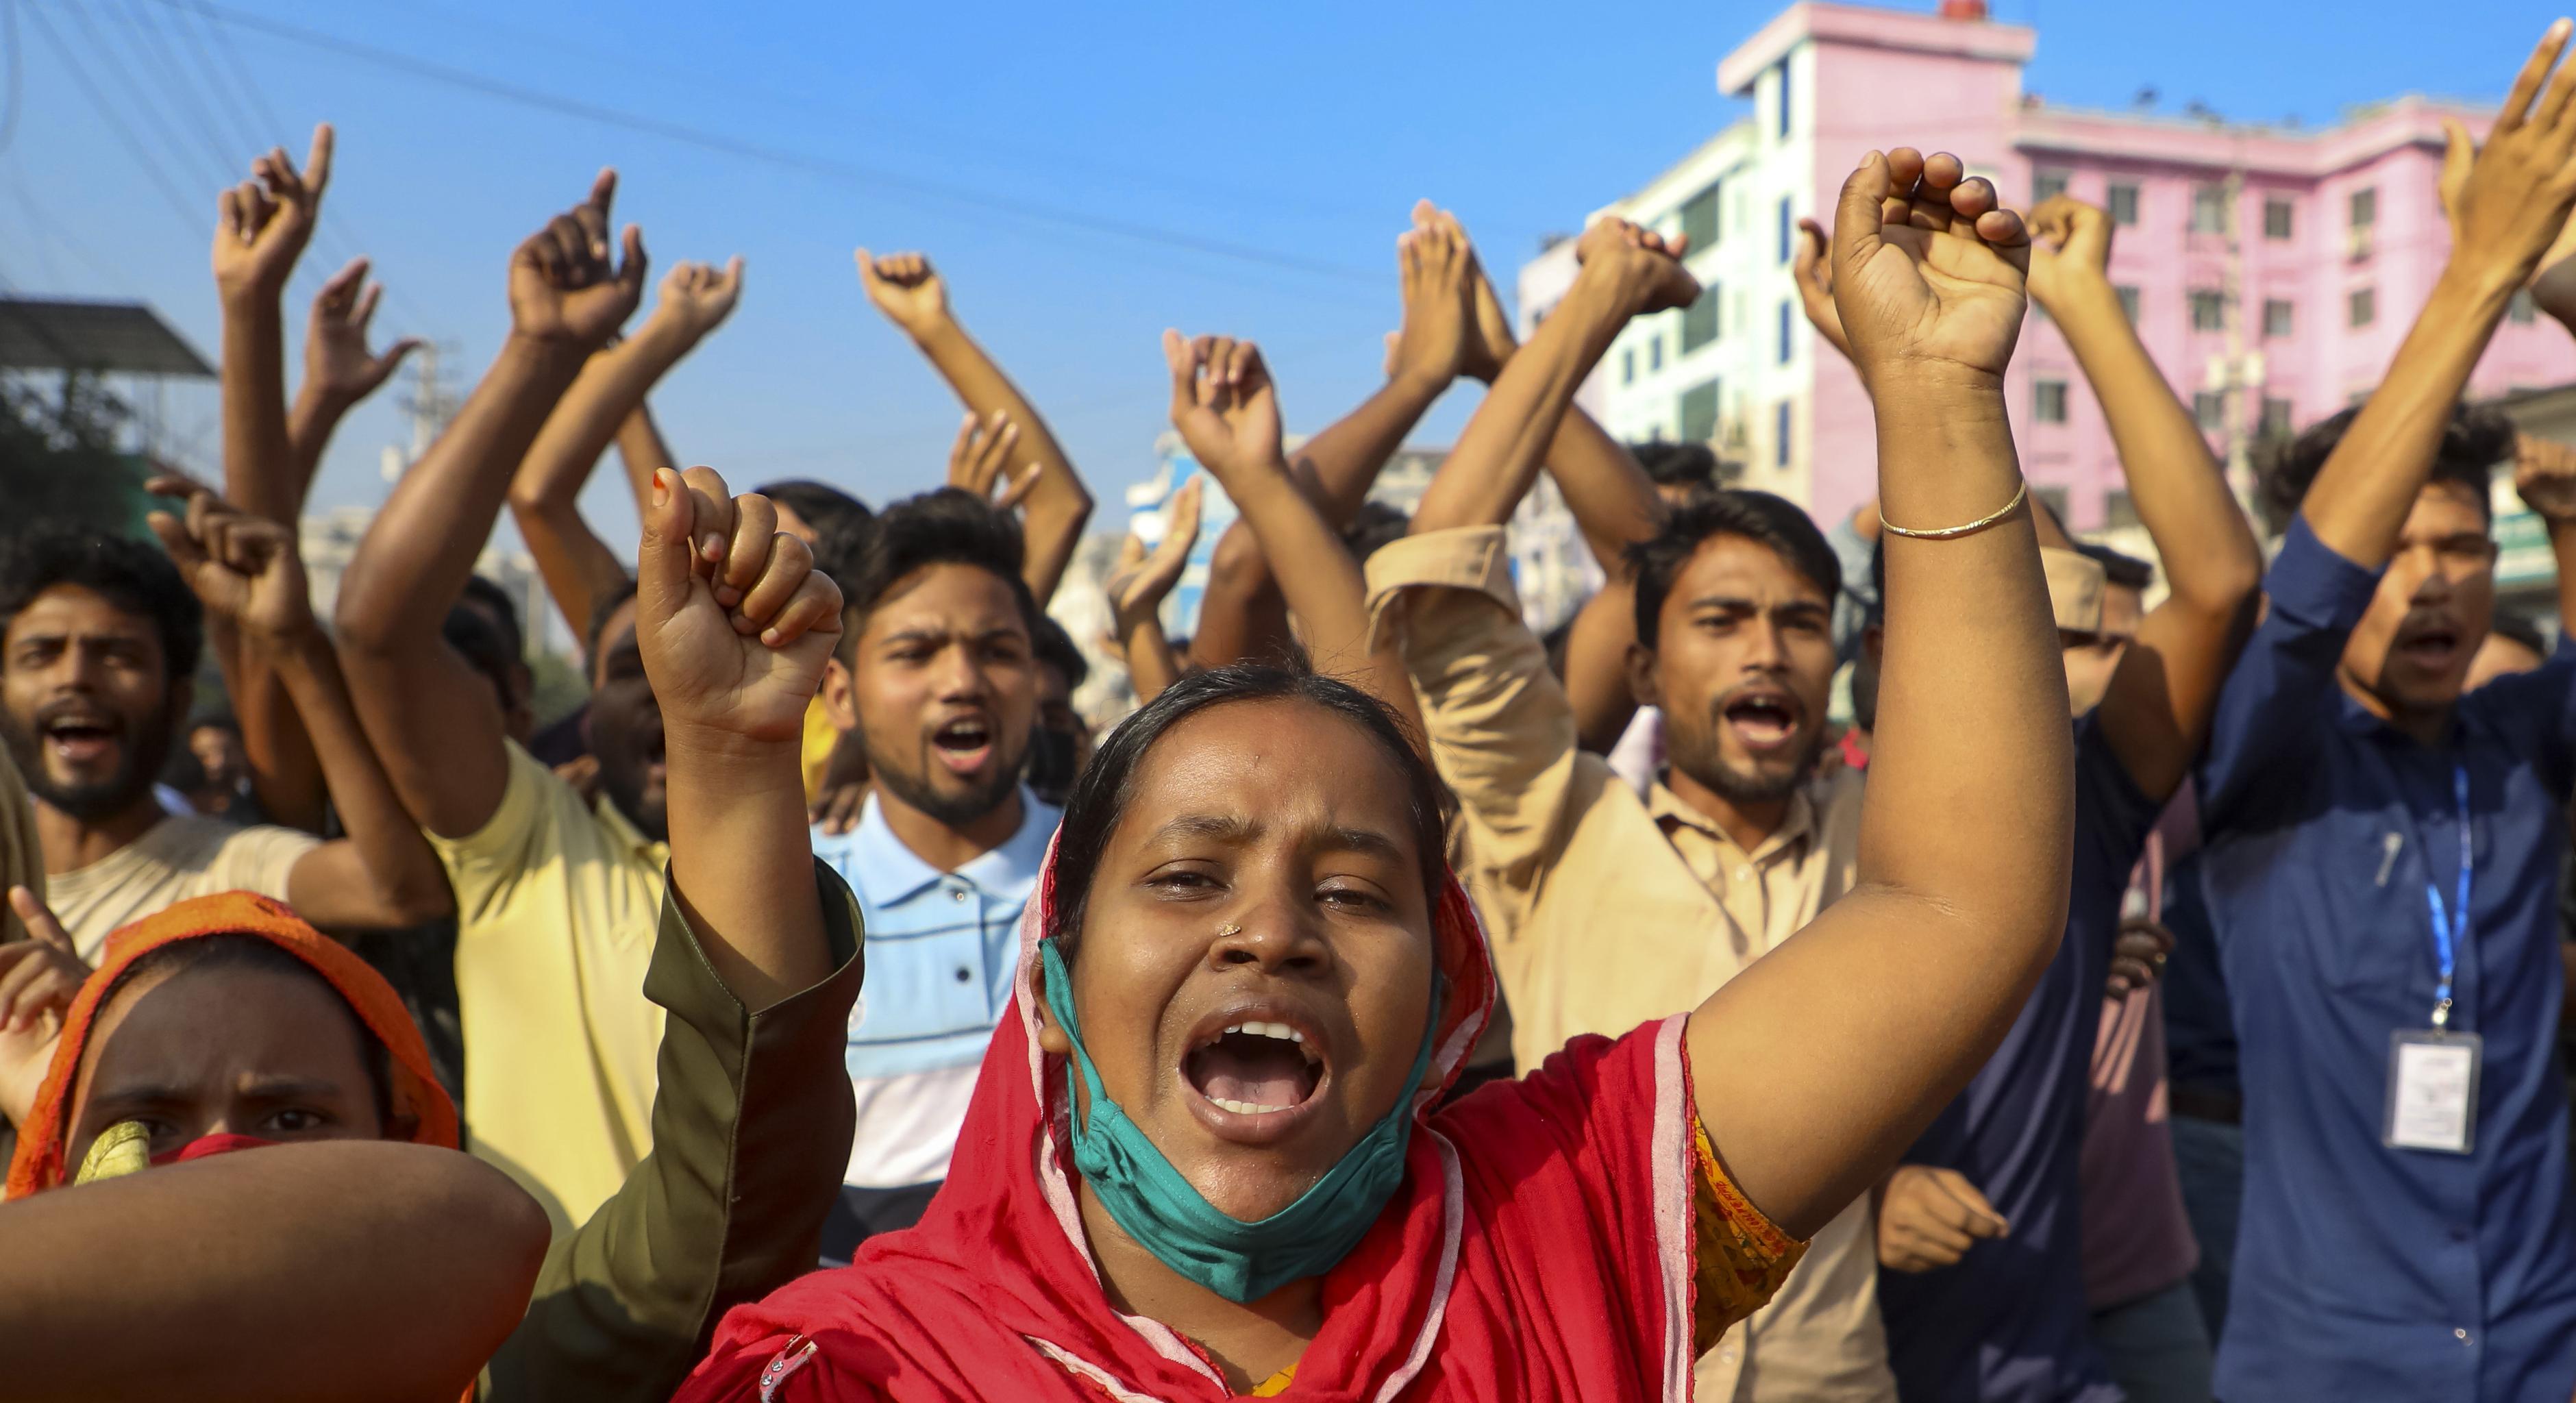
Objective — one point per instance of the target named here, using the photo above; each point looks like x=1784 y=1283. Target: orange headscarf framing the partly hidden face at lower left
x=45 y=1139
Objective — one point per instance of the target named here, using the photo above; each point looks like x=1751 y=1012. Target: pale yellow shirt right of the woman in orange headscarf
x=558 y=907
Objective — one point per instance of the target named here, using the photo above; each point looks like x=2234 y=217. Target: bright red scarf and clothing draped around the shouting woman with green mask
x=1539 y=1247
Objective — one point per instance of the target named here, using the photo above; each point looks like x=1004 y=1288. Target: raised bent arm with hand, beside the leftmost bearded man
x=246 y=573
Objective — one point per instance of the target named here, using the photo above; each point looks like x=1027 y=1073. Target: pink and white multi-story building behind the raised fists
x=2271 y=272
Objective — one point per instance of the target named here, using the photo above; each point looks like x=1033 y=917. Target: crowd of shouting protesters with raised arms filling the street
x=2129 y=1003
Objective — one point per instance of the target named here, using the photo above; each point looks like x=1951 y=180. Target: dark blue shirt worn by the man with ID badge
x=2363 y=1270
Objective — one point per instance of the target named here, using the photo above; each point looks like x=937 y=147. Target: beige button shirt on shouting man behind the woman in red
x=1609 y=910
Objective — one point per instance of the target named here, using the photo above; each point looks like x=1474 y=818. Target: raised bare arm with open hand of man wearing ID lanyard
x=2508 y=202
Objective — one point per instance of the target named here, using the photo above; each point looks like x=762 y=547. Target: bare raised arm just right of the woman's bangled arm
x=2160 y=701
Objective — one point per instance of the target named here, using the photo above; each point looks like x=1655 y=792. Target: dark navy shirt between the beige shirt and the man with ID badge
x=2008 y=1322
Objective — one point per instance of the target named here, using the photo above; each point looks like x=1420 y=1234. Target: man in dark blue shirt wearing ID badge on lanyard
x=2384 y=871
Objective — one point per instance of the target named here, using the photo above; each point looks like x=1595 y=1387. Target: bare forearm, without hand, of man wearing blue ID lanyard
x=2371 y=480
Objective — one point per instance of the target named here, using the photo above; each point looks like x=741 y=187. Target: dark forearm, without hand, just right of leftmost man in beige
x=401 y=866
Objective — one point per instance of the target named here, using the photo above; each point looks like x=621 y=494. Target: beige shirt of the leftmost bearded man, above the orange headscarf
x=179 y=859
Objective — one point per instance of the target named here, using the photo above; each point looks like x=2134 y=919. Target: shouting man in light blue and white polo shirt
x=942 y=686
